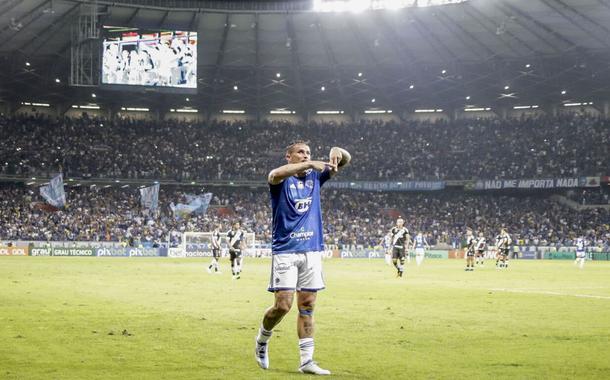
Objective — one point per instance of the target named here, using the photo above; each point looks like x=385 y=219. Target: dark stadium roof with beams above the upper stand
x=496 y=52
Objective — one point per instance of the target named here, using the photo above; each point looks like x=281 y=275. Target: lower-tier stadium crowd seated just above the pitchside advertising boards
x=351 y=218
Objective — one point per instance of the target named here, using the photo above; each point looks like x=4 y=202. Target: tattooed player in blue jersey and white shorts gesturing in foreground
x=297 y=246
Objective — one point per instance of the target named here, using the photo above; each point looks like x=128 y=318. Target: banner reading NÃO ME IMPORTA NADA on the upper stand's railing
x=543 y=183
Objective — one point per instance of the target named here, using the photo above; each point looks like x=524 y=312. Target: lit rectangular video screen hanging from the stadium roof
x=135 y=58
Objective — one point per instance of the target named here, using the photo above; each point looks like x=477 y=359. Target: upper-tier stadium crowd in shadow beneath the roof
x=563 y=146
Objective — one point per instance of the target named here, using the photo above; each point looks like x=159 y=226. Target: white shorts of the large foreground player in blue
x=296 y=271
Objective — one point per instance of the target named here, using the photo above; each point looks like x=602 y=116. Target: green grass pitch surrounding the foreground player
x=142 y=318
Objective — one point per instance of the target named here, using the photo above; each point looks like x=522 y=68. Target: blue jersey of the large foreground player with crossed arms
x=297 y=216
